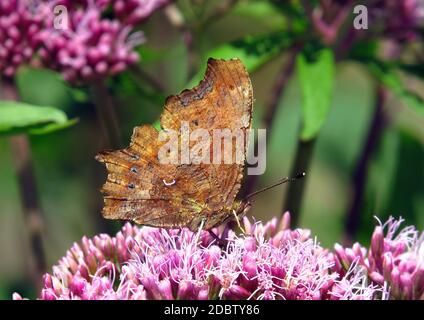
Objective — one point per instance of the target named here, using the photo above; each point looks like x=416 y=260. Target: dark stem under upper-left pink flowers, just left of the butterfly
x=106 y=114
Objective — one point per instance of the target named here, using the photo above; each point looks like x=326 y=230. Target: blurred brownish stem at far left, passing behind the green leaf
x=21 y=153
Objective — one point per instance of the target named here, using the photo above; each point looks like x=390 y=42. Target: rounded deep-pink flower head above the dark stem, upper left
x=89 y=46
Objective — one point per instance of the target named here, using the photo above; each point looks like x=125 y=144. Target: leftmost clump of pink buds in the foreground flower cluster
x=90 y=270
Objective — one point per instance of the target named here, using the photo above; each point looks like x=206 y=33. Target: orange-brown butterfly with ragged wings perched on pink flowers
x=141 y=188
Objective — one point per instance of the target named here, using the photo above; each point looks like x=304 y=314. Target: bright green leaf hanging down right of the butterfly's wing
x=316 y=83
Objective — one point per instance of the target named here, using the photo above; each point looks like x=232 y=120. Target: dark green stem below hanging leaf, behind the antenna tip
x=295 y=191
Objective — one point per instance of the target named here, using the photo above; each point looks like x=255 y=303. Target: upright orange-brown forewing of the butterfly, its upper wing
x=223 y=99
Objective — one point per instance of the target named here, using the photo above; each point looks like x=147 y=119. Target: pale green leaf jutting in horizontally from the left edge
x=18 y=117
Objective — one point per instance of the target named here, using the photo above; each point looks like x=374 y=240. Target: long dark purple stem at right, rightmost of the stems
x=361 y=171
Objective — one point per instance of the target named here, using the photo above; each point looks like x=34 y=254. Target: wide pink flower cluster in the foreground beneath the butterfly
x=270 y=261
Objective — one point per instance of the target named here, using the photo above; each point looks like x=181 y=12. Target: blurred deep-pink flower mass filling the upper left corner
x=82 y=42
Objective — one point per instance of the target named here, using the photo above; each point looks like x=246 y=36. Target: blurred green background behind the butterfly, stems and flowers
x=69 y=178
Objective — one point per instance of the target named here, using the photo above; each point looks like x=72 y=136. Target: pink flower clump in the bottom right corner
x=395 y=259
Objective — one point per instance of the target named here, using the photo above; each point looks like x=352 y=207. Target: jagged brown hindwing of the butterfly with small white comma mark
x=135 y=188
